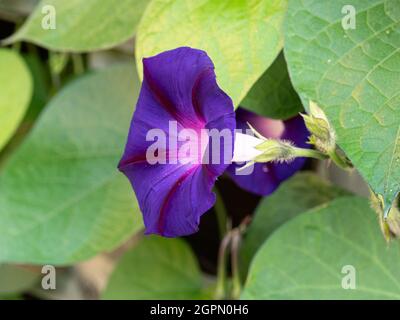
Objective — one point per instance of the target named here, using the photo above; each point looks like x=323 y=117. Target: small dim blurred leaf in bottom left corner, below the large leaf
x=15 y=279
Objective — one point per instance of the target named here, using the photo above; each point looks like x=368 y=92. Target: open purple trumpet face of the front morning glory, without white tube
x=179 y=88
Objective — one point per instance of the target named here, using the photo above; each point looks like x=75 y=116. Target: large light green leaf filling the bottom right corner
x=307 y=258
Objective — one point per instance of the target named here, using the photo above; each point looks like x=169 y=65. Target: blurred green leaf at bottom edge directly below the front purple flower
x=158 y=268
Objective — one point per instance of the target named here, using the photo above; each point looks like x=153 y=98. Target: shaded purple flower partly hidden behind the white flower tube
x=266 y=177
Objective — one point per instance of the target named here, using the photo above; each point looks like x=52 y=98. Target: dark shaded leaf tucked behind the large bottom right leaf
x=296 y=195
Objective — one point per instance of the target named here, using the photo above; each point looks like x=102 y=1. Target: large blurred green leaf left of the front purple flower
x=62 y=198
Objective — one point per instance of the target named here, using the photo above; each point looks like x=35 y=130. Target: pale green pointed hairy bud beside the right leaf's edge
x=323 y=135
